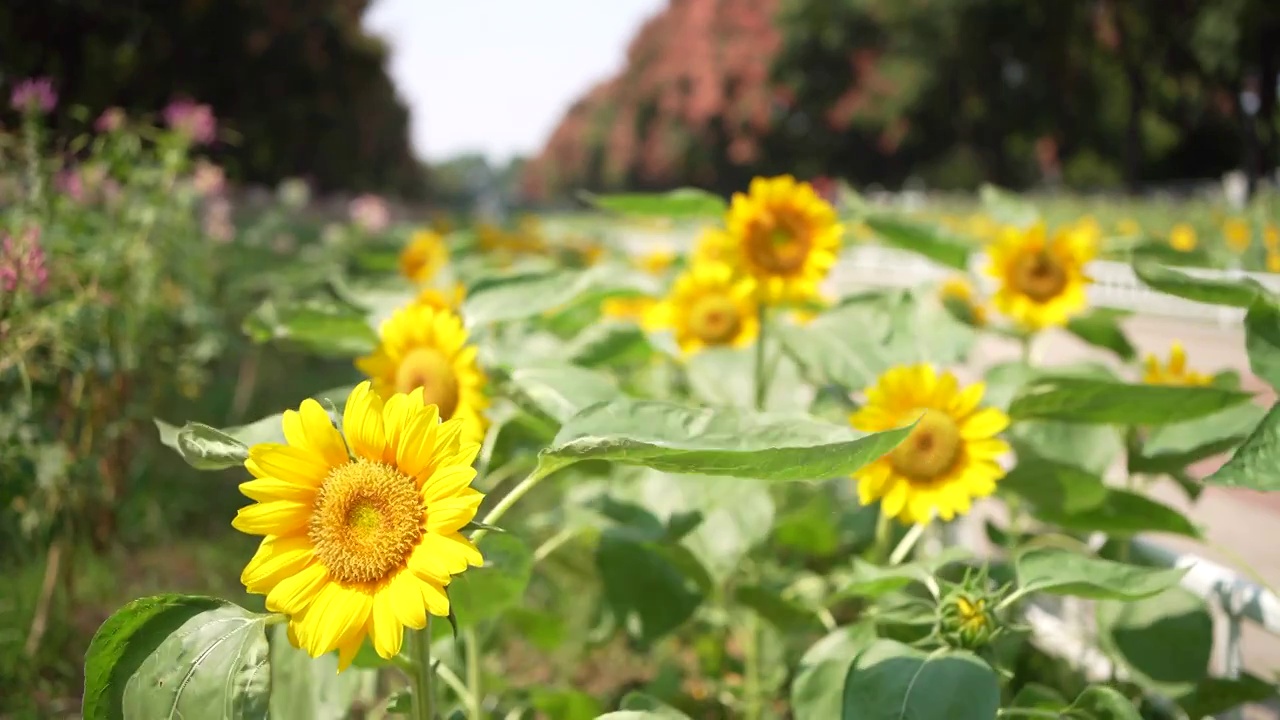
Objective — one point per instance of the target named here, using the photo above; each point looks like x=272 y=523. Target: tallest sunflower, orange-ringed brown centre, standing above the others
x=787 y=238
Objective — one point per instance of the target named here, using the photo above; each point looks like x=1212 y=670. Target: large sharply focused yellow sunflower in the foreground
x=362 y=532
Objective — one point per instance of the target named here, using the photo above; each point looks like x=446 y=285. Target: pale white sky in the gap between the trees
x=496 y=76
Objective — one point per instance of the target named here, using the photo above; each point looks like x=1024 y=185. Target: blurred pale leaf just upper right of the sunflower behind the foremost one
x=515 y=297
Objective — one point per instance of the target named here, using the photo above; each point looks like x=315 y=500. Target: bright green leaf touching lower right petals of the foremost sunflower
x=483 y=594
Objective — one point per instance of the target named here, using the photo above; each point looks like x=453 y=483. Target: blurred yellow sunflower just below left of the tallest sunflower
x=710 y=307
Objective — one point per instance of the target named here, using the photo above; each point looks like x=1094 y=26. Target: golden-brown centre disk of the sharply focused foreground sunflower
x=367 y=520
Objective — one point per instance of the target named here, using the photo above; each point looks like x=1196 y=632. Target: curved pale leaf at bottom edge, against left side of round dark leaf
x=819 y=690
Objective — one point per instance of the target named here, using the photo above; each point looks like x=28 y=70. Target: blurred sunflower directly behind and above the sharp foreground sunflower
x=427 y=348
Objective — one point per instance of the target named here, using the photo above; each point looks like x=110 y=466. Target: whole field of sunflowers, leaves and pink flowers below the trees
x=543 y=470
